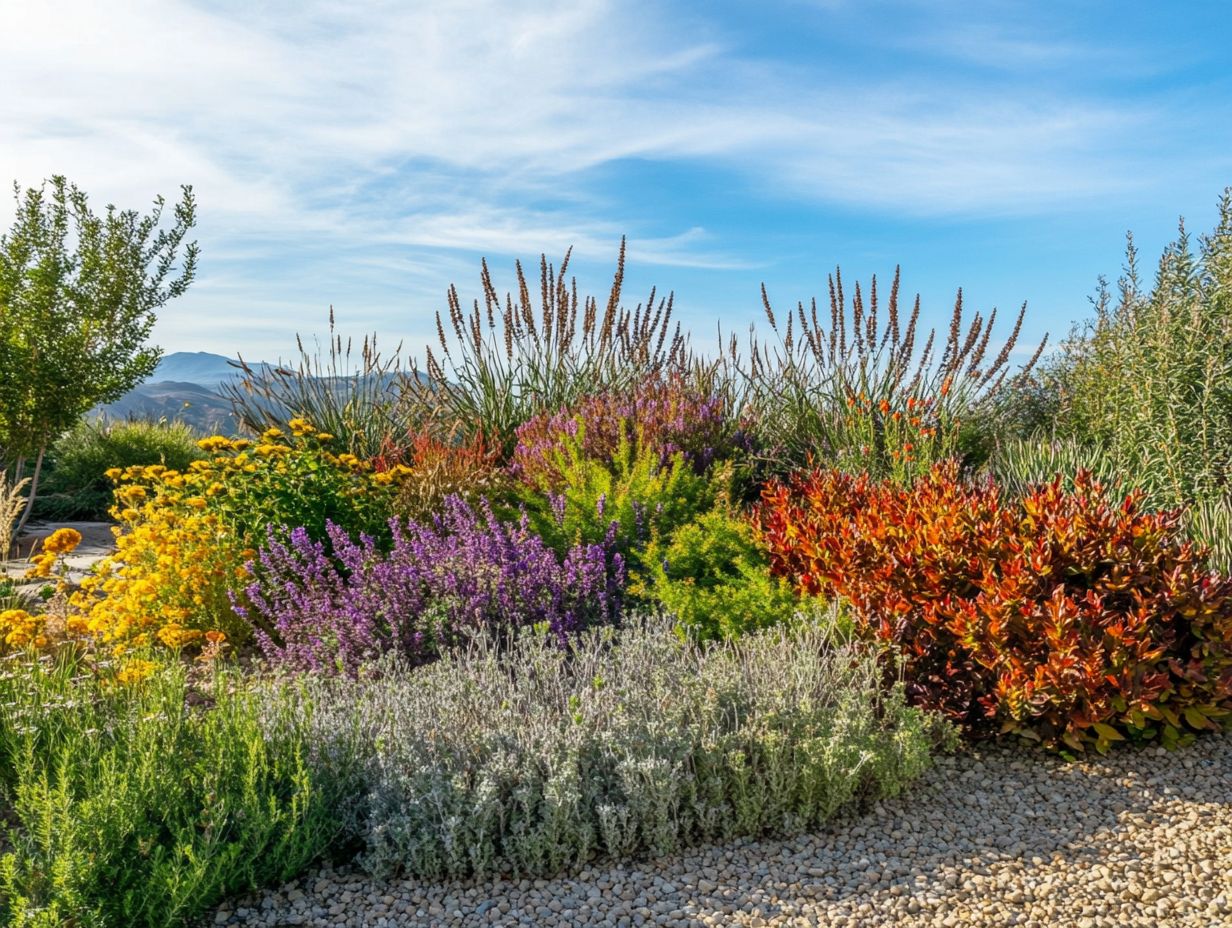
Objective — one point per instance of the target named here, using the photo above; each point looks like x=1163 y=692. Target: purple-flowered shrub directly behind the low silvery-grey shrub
x=466 y=570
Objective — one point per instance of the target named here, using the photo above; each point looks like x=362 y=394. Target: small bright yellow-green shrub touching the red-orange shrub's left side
x=715 y=579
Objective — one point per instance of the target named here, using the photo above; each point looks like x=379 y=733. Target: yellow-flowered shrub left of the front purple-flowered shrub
x=185 y=537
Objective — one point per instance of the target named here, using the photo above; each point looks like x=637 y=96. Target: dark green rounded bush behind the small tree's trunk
x=77 y=485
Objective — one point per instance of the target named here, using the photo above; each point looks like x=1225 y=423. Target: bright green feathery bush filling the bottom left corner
x=139 y=807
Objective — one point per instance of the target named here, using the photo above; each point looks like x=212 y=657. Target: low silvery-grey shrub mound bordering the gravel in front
x=533 y=760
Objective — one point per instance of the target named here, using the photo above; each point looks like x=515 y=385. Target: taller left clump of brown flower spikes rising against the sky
x=507 y=362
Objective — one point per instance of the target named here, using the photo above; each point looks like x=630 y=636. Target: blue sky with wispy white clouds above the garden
x=368 y=155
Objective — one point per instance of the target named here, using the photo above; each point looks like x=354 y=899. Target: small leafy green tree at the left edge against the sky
x=78 y=295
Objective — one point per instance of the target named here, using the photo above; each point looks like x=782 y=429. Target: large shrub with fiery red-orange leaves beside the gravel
x=1060 y=616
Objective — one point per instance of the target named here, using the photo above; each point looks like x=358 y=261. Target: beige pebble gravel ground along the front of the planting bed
x=989 y=839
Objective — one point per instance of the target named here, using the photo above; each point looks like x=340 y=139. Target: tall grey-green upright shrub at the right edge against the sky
x=1151 y=378
